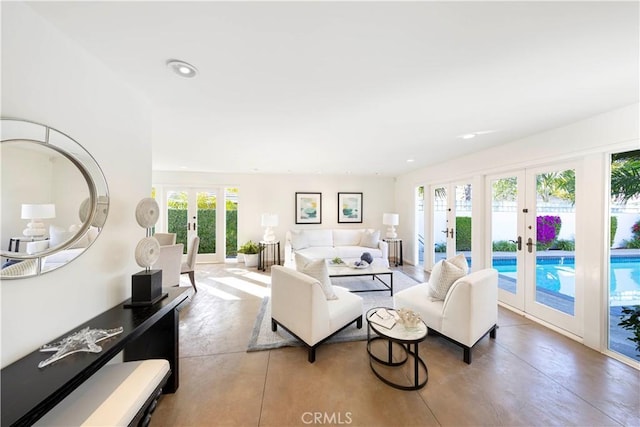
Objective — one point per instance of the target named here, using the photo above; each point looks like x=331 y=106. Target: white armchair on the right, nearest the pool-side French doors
x=468 y=313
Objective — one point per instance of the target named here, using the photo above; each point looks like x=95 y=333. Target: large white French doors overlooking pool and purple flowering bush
x=533 y=243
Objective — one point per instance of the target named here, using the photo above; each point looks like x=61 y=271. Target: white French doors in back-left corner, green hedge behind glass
x=193 y=211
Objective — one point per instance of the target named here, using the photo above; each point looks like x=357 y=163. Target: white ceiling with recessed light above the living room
x=357 y=87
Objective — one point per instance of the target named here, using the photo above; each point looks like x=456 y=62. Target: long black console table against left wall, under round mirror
x=29 y=392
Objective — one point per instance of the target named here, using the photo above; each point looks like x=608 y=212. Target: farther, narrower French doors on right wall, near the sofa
x=451 y=220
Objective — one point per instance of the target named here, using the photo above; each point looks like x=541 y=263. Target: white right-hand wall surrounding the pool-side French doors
x=587 y=142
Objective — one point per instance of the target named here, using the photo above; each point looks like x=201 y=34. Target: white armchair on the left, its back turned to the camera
x=299 y=306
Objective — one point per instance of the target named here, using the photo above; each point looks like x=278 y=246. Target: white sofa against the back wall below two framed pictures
x=345 y=243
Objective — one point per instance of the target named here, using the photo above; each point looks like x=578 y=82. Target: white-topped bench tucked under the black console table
x=122 y=394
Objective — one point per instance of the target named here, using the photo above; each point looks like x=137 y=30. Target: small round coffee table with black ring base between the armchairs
x=402 y=338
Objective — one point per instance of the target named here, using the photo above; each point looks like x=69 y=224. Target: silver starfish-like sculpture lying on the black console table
x=83 y=340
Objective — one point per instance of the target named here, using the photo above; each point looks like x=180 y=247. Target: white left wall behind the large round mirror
x=48 y=78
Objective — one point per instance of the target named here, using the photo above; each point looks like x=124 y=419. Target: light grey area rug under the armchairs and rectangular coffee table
x=263 y=338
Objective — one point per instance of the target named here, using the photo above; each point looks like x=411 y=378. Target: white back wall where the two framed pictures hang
x=262 y=193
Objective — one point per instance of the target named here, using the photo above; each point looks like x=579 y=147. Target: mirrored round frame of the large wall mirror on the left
x=95 y=207
